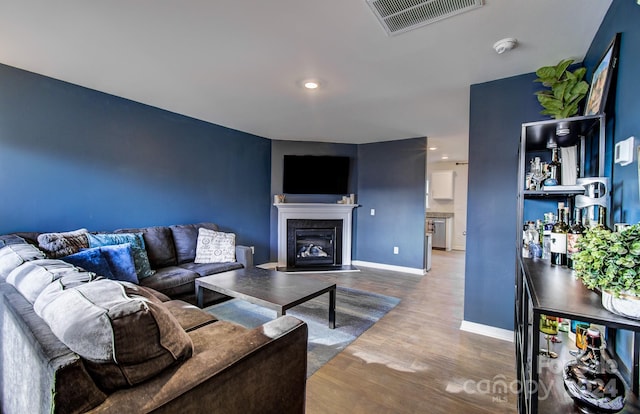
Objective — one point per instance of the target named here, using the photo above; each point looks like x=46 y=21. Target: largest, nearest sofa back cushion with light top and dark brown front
x=124 y=334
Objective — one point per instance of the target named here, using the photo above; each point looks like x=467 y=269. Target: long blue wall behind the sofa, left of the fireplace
x=73 y=157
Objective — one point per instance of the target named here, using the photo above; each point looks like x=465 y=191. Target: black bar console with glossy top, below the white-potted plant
x=555 y=291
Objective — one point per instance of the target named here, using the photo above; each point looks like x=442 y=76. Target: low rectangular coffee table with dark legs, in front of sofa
x=269 y=288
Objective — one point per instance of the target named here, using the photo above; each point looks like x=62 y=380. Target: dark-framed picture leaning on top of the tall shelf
x=601 y=80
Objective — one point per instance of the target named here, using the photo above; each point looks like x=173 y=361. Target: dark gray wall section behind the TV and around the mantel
x=281 y=148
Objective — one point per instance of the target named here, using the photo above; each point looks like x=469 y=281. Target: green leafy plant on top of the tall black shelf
x=567 y=89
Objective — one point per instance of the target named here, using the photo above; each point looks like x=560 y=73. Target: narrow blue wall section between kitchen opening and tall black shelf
x=497 y=111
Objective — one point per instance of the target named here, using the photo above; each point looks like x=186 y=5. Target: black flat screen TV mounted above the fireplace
x=315 y=174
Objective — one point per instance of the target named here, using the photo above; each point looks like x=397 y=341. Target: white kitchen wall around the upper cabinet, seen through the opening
x=457 y=206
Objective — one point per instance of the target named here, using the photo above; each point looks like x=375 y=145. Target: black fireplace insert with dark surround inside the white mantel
x=314 y=243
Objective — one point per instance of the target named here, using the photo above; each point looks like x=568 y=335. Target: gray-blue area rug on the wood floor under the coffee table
x=356 y=311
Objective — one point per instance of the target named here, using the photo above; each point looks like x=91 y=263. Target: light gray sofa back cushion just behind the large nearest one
x=30 y=278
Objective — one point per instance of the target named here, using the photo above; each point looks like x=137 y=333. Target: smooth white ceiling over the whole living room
x=239 y=63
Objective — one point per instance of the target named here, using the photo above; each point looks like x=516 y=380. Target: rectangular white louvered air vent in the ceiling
x=398 y=16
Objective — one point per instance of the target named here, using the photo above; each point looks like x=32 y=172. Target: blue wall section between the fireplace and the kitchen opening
x=391 y=180
